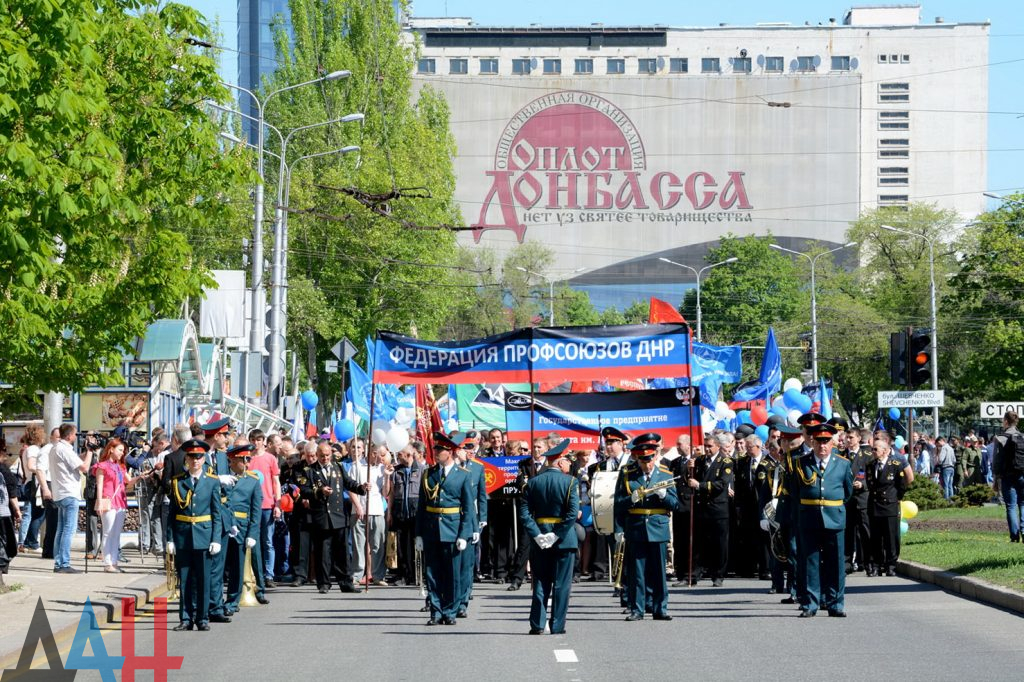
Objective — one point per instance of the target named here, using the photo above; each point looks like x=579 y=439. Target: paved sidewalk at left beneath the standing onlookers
x=64 y=595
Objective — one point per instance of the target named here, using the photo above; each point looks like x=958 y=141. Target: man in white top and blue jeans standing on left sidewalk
x=66 y=473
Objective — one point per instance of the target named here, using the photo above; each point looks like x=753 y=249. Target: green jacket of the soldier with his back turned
x=550 y=504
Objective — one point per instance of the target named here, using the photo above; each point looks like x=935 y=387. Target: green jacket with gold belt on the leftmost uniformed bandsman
x=195 y=519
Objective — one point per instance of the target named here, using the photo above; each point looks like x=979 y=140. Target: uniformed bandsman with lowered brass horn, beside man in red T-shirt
x=244 y=502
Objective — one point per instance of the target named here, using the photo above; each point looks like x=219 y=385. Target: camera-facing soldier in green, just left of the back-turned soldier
x=446 y=522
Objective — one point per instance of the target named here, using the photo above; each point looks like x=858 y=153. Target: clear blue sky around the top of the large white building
x=1006 y=100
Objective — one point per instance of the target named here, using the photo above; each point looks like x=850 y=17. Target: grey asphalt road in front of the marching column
x=898 y=630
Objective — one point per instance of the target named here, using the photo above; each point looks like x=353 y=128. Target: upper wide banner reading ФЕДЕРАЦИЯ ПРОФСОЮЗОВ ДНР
x=538 y=355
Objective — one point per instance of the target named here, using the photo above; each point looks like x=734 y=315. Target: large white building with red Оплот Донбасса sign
x=617 y=147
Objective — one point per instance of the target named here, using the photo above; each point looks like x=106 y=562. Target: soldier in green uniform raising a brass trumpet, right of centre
x=643 y=521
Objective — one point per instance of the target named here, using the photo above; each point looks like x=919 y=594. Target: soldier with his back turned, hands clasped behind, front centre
x=548 y=513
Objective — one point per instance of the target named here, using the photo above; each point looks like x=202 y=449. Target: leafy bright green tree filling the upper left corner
x=108 y=161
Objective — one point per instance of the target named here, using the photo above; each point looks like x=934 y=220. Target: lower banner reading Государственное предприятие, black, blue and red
x=582 y=416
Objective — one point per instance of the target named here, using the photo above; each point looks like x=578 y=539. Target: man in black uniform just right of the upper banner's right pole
x=713 y=480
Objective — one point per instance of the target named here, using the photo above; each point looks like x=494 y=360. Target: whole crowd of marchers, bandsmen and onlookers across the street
x=800 y=510
